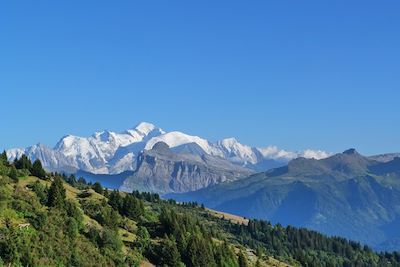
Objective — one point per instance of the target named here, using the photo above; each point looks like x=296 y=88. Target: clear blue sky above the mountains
x=297 y=74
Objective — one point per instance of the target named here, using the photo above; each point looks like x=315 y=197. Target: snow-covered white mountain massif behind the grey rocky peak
x=109 y=152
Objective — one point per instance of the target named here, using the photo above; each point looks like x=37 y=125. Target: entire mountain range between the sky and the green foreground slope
x=345 y=194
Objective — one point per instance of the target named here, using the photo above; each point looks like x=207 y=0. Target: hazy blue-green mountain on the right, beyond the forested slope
x=346 y=194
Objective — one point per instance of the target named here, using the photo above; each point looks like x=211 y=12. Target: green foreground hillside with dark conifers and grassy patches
x=47 y=219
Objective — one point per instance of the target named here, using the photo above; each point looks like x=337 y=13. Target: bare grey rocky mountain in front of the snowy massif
x=161 y=170
